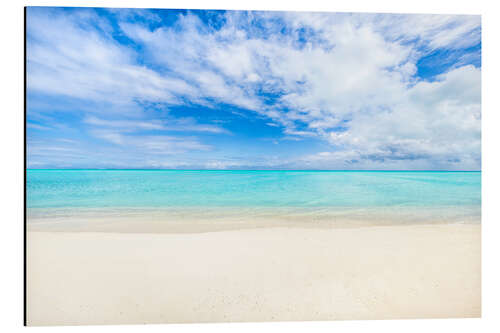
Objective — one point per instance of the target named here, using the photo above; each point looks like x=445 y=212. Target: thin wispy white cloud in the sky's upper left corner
x=68 y=56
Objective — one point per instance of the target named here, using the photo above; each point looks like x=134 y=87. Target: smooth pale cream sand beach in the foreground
x=264 y=274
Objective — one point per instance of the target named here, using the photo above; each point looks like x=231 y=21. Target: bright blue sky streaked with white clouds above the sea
x=137 y=88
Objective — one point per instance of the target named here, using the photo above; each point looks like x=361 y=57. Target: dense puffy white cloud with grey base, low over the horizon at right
x=438 y=123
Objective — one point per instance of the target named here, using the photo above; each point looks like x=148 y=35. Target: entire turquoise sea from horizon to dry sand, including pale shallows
x=307 y=196
